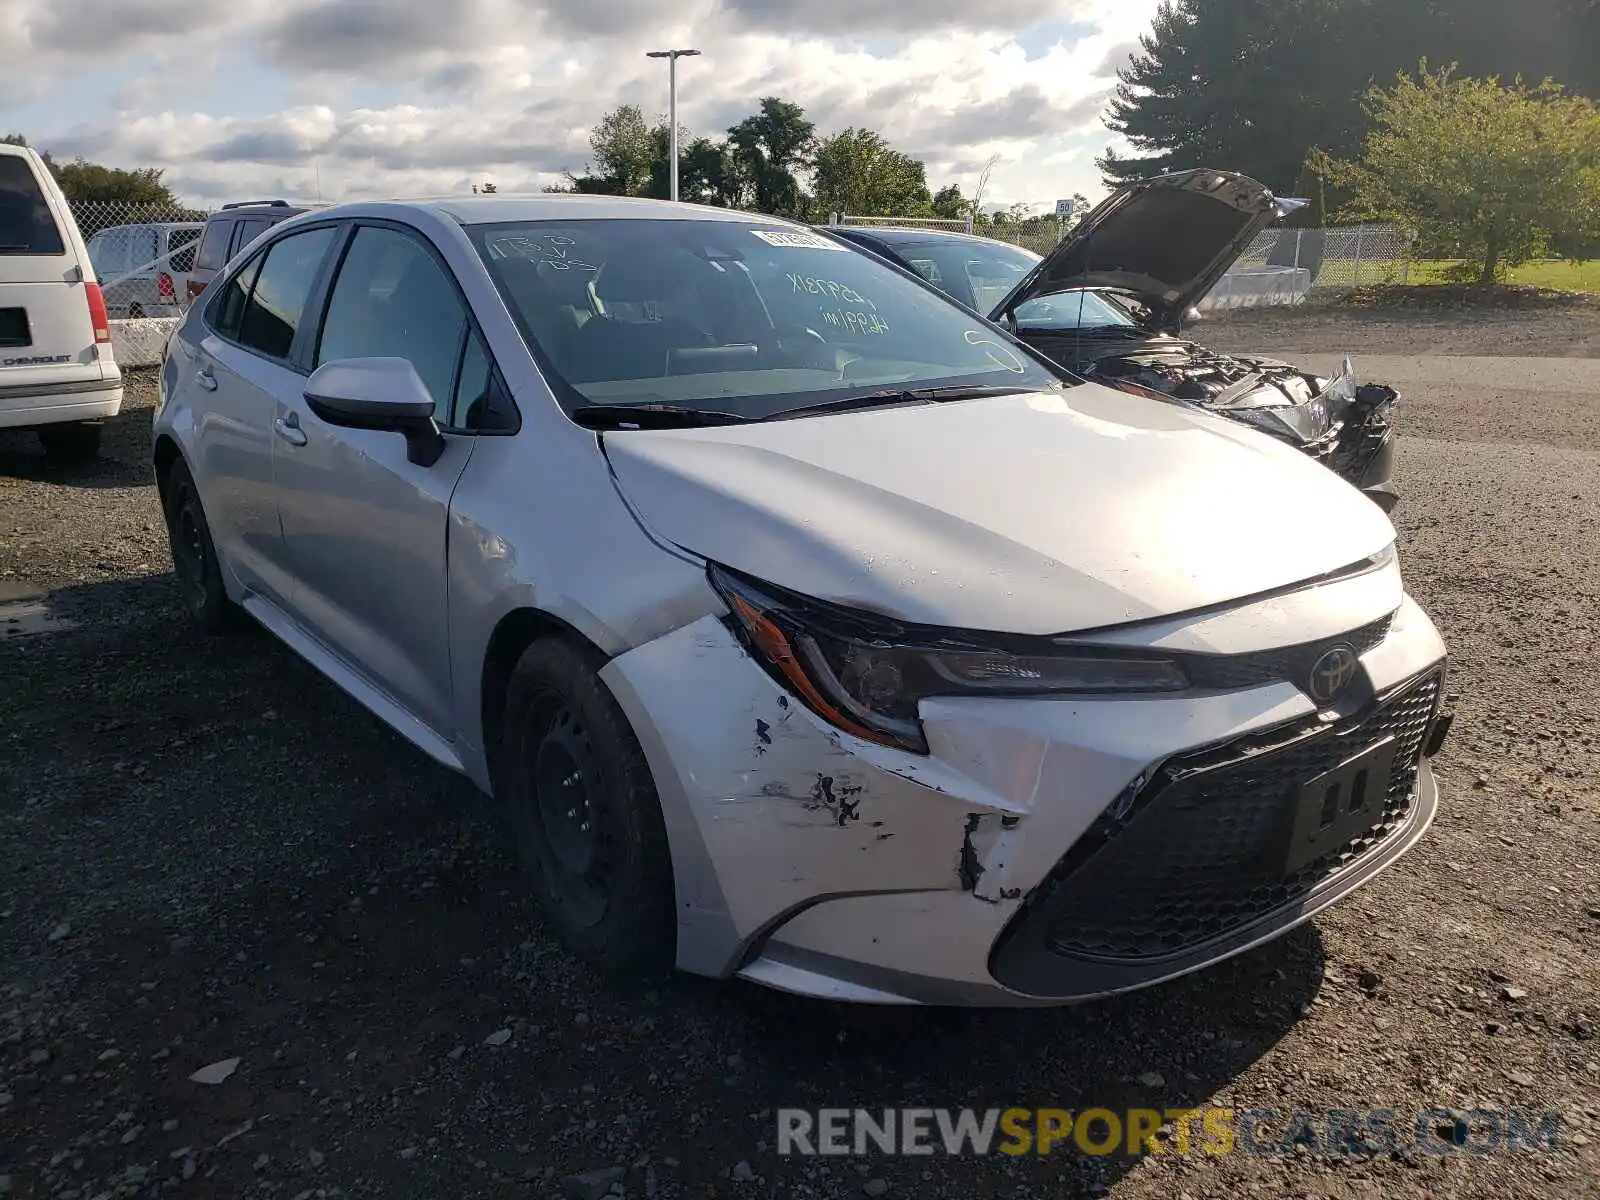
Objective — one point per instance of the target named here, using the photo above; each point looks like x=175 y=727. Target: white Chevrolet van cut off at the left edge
x=57 y=369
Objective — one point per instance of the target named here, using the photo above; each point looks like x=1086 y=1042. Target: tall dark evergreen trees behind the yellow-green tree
x=1257 y=86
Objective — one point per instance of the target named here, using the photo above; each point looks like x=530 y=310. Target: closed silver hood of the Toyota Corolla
x=1031 y=514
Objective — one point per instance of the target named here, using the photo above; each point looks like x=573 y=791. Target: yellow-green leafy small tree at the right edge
x=1503 y=172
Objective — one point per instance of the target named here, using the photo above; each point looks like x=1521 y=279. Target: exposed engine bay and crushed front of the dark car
x=1343 y=425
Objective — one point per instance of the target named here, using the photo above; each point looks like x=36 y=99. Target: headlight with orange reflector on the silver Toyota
x=868 y=674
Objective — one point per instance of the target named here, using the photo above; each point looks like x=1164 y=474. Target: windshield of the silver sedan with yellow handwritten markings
x=735 y=319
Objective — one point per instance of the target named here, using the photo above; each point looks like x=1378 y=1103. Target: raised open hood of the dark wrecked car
x=1166 y=241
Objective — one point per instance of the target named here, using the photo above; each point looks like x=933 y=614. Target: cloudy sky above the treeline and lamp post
x=380 y=98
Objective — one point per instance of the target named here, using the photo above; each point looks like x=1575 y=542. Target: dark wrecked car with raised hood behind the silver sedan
x=1111 y=298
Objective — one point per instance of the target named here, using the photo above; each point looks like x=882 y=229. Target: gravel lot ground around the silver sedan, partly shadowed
x=214 y=855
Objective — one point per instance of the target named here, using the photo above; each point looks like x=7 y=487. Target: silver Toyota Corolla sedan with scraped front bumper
x=812 y=630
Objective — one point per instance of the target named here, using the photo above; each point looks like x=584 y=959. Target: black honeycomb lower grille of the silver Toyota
x=1202 y=849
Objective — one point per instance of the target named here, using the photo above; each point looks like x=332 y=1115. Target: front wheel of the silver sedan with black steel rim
x=585 y=814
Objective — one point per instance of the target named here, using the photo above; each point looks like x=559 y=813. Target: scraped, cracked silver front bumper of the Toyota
x=818 y=863
